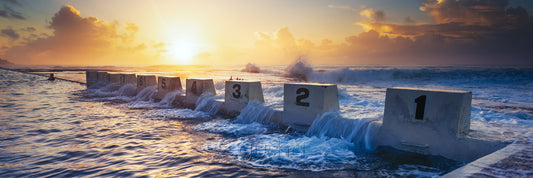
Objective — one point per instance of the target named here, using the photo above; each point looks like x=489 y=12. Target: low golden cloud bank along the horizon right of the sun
x=373 y=47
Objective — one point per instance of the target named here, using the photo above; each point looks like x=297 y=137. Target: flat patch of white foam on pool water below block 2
x=288 y=151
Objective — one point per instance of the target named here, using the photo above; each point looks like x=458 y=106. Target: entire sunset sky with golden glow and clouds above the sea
x=235 y=32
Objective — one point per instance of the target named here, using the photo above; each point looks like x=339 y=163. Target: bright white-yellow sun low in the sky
x=182 y=51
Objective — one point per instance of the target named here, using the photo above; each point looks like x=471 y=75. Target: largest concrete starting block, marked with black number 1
x=432 y=122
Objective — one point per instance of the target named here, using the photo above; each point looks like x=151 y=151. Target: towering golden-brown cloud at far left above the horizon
x=78 y=40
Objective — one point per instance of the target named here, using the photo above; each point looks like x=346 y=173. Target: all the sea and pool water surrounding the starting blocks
x=59 y=128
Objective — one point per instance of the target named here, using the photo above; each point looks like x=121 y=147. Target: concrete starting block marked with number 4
x=196 y=87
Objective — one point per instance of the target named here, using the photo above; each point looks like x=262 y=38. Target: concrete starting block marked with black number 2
x=303 y=102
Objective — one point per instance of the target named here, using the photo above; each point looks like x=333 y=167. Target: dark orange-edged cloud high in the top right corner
x=464 y=19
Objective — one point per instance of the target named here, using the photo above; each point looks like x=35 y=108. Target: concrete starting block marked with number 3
x=239 y=93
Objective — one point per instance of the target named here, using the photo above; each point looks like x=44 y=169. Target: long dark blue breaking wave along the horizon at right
x=466 y=76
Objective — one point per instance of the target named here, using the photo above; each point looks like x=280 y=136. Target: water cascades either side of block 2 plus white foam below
x=328 y=145
